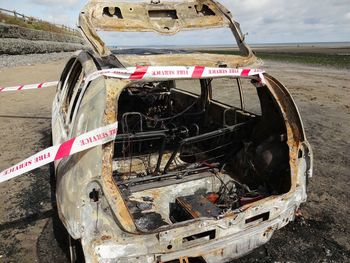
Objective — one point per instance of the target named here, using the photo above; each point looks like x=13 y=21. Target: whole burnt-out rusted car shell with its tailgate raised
x=188 y=177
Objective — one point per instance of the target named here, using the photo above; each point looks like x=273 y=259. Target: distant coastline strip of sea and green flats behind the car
x=329 y=54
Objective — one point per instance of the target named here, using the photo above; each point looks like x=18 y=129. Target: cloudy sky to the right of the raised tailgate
x=292 y=21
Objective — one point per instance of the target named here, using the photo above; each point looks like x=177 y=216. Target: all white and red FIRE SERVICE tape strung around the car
x=108 y=133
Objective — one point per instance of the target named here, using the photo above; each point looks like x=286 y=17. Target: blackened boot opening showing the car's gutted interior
x=220 y=159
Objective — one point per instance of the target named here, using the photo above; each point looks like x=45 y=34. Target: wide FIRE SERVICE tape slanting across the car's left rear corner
x=80 y=143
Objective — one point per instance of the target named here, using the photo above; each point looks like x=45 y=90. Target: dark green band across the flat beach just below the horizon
x=333 y=60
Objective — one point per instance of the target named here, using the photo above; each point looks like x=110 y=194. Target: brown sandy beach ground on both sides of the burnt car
x=320 y=235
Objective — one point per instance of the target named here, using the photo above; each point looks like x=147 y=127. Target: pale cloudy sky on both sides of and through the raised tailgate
x=265 y=21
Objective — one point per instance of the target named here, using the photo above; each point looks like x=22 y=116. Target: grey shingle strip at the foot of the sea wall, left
x=11 y=61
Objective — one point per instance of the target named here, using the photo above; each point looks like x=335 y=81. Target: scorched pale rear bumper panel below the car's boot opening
x=231 y=242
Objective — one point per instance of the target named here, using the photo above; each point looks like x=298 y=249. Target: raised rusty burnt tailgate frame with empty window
x=164 y=17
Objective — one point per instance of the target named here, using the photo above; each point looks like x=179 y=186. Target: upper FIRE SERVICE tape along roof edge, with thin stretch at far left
x=152 y=72
